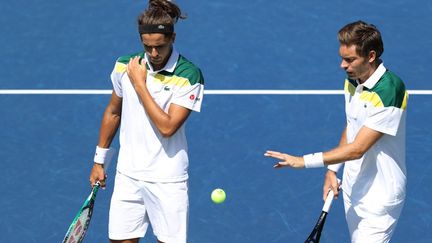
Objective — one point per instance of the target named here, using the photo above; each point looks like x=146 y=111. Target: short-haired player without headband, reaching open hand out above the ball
x=372 y=145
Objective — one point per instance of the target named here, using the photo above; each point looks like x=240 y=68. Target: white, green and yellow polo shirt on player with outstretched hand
x=379 y=104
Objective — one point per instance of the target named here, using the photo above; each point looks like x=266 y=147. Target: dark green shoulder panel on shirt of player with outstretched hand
x=391 y=90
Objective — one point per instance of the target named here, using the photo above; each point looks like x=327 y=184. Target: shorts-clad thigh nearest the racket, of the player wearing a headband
x=127 y=217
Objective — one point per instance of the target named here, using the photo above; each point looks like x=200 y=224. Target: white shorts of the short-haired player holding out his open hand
x=372 y=223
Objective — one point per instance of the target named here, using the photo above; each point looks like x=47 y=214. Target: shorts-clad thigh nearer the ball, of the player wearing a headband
x=168 y=209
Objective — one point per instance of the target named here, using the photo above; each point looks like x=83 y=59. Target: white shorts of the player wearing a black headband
x=136 y=204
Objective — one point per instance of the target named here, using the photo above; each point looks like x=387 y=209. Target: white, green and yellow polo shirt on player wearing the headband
x=144 y=153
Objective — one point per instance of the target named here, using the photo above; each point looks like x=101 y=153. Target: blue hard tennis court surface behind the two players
x=48 y=140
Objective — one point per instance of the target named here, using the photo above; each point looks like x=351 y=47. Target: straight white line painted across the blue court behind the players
x=207 y=92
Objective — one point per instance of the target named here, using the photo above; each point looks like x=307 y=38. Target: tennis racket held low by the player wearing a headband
x=81 y=222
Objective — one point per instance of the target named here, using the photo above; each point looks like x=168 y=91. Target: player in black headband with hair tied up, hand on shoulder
x=154 y=92
